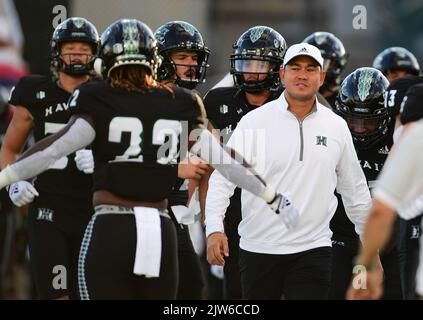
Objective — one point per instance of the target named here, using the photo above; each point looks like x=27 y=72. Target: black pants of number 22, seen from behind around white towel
x=107 y=260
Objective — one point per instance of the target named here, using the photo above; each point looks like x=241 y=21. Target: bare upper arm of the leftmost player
x=16 y=136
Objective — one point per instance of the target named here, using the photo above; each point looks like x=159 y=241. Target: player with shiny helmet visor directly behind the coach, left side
x=255 y=62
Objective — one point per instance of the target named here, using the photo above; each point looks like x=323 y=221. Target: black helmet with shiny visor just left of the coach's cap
x=259 y=50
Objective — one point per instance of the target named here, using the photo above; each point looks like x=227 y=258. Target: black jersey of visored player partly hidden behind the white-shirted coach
x=225 y=106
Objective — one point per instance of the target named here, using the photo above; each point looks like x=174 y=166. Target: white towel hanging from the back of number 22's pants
x=149 y=242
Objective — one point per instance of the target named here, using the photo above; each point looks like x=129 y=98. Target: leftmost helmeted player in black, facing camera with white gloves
x=60 y=199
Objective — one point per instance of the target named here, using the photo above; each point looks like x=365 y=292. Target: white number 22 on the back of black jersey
x=162 y=128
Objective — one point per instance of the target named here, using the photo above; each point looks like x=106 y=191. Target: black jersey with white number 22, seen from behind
x=139 y=137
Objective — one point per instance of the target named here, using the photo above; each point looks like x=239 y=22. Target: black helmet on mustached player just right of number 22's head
x=181 y=36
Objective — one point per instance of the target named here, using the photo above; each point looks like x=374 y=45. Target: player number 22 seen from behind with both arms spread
x=134 y=124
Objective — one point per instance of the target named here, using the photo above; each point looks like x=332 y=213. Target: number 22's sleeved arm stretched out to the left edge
x=78 y=133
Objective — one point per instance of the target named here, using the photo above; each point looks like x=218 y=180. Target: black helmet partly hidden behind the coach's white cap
x=334 y=55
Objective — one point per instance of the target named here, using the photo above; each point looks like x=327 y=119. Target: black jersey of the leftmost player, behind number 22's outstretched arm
x=47 y=103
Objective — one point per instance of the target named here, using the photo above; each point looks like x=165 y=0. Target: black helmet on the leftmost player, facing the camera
x=73 y=30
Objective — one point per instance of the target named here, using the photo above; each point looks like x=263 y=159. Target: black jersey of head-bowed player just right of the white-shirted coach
x=371 y=161
